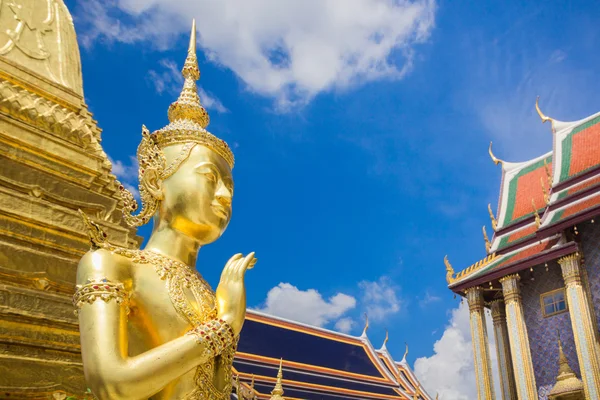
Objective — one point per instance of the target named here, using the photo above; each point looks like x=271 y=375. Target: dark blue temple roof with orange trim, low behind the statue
x=318 y=363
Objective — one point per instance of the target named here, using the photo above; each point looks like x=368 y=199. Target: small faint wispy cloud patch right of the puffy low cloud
x=380 y=298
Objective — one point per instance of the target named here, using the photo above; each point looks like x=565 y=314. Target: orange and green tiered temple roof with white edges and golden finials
x=539 y=199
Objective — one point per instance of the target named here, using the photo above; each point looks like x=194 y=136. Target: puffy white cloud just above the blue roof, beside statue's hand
x=307 y=306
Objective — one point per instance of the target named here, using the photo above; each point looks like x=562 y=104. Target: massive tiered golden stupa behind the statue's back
x=51 y=165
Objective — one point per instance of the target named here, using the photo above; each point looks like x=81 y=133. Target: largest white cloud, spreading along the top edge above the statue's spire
x=289 y=50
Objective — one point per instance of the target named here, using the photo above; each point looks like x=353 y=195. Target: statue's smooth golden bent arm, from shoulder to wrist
x=110 y=373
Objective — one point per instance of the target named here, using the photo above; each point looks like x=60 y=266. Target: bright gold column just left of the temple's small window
x=518 y=338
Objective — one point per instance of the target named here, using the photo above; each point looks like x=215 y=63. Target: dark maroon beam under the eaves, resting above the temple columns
x=520 y=265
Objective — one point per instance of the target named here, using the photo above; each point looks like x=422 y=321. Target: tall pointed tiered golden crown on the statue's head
x=188 y=119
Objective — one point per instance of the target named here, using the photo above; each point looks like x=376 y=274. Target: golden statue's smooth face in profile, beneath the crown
x=197 y=197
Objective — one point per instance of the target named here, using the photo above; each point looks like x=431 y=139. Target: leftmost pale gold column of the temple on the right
x=481 y=349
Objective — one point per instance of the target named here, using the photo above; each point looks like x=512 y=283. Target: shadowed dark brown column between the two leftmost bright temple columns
x=507 y=376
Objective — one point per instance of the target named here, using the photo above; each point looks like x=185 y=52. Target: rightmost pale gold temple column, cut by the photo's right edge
x=583 y=327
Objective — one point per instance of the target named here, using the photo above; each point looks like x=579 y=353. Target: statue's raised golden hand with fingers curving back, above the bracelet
x=231 y=292
